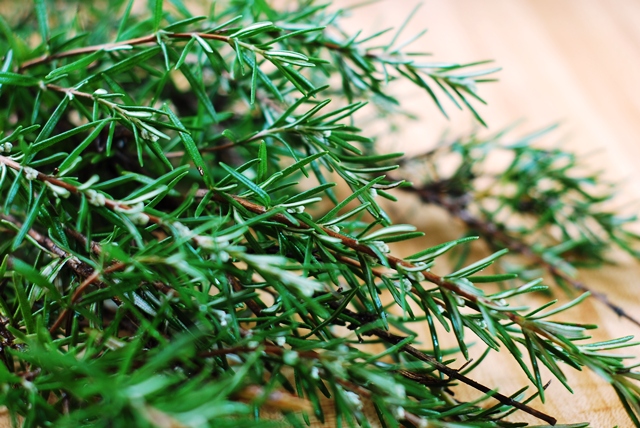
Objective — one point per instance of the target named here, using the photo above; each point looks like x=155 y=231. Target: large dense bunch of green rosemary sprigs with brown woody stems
x=163 y=266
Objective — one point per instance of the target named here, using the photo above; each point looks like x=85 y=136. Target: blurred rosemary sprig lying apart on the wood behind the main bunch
x=540 y=205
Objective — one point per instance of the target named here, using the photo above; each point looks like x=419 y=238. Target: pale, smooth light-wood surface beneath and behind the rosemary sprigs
x=571 y=61
